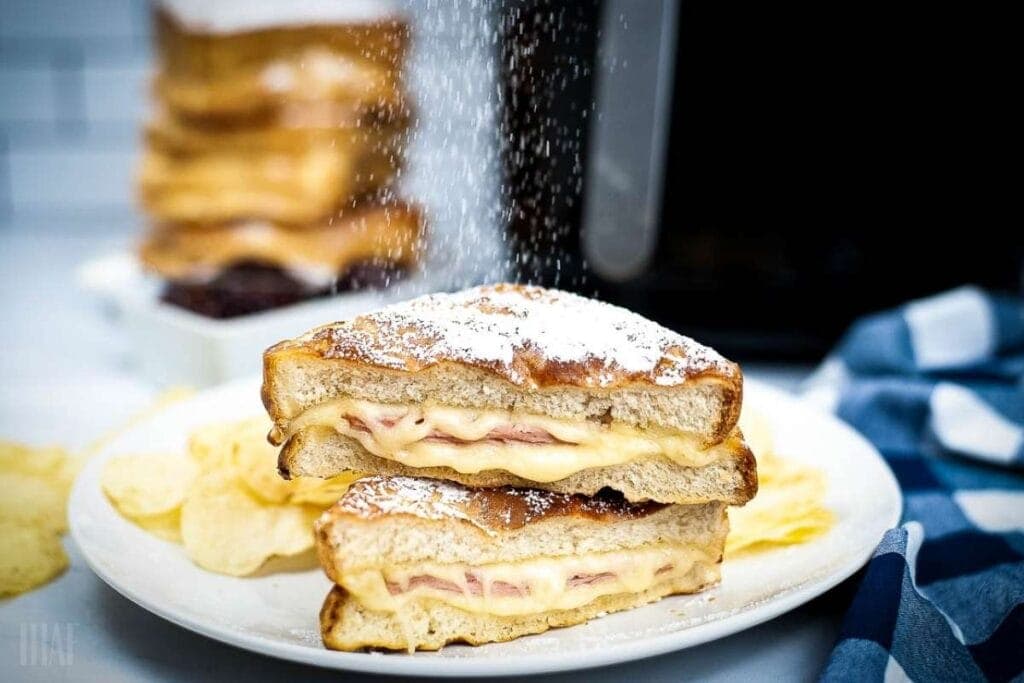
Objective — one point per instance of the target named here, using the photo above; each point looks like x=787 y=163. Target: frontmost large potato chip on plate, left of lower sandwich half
x=227 y=529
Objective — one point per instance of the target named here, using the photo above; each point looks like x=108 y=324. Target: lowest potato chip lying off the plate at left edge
x=30 y=557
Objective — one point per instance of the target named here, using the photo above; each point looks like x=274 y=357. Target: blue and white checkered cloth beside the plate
x=938 y=388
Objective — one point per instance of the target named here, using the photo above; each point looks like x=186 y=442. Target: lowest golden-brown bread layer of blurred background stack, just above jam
x=391 y=233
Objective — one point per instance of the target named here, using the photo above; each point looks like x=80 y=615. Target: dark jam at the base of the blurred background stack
x=251 y=288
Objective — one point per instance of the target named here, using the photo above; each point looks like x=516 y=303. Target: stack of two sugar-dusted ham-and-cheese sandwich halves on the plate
x=535 y=459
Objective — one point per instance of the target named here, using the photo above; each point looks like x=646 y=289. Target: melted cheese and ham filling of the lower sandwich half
x=529 y=587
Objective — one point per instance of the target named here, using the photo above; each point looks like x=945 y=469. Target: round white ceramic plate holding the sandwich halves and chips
x=277 y=614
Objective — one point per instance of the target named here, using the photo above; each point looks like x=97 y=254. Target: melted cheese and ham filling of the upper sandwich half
x=472 y=441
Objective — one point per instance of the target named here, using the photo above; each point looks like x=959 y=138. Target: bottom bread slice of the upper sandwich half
x=324 y=453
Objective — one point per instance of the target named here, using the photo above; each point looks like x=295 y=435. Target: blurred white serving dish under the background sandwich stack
x=176 y=347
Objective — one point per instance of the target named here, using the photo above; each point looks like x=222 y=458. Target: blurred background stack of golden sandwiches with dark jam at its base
x=270 y=162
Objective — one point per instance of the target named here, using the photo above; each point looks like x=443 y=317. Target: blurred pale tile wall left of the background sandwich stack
x=73 y=91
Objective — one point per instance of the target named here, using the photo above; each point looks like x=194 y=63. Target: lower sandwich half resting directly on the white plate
x=421 y=563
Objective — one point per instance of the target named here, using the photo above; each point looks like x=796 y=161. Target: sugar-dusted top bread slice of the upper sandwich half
x=510 y=348
